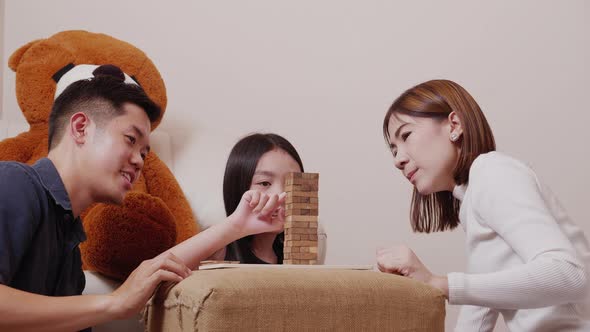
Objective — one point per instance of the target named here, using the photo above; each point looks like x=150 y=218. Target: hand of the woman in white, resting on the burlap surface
x=403 y=261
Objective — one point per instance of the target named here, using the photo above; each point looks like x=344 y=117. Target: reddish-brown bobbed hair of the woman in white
x=437 y=99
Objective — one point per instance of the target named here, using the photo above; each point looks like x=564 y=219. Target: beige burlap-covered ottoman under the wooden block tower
x=273 y=299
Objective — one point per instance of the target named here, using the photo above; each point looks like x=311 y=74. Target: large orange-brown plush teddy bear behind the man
x=155 y=215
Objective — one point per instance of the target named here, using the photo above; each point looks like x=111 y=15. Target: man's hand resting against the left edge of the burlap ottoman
x=134 y=293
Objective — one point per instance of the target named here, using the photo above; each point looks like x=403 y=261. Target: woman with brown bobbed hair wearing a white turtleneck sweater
x=526 y=259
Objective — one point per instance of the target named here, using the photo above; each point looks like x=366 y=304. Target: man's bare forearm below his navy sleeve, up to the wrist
x=23 y=311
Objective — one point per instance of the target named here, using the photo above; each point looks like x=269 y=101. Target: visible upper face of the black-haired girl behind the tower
x=271 y=170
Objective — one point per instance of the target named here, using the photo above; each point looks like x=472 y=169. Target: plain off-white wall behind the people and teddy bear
x=323 y=73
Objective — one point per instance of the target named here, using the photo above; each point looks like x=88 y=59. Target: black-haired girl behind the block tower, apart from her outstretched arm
x=257 y=162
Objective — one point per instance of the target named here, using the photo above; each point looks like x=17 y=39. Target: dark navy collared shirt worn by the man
x=39 y=236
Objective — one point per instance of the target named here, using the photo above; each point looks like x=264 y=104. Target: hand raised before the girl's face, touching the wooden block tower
x=259 y=213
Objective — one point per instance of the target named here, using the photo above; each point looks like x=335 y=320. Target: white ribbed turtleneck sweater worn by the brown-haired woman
x=526 y=259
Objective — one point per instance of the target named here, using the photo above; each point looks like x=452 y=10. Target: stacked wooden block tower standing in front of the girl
x=301 y=224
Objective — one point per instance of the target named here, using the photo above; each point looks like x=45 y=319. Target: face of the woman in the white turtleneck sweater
x=424 y=151
